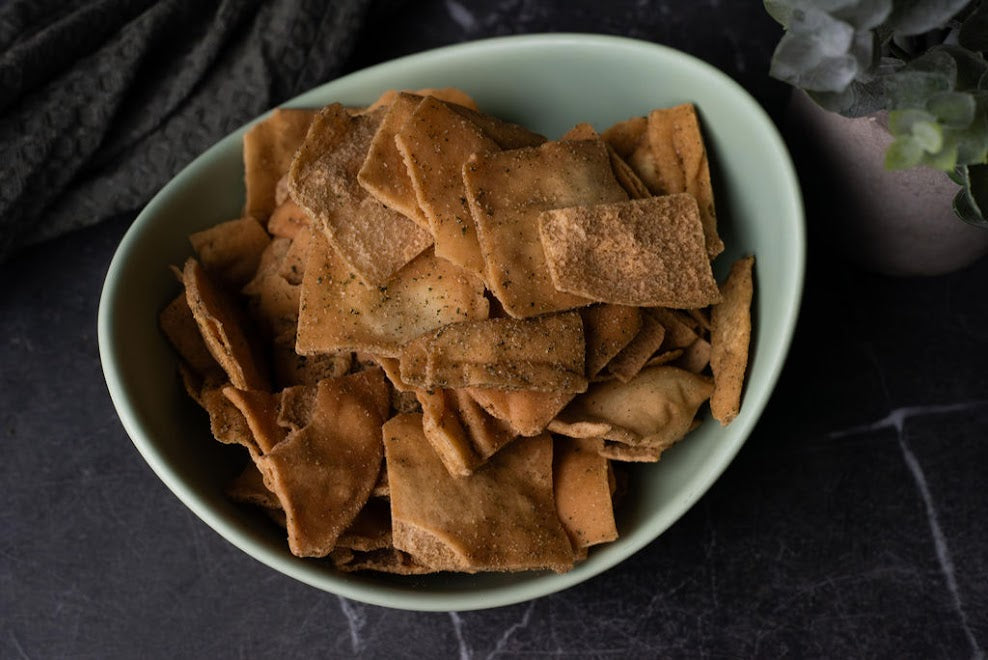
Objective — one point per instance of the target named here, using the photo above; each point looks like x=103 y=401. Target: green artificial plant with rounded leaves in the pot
x=921 y=60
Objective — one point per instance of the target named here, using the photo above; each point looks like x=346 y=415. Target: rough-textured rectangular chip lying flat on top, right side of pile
x=646 y=252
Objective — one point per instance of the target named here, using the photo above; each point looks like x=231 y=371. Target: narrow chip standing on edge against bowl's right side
x=729 y=339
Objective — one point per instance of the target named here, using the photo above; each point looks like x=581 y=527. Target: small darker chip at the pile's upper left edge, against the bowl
x=231 y=251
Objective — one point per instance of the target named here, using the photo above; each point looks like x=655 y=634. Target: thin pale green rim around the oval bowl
x=496 y=596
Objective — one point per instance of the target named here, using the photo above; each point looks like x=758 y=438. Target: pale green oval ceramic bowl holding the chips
x=548 y=83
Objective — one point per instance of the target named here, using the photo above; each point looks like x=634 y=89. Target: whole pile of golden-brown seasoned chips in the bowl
x=436 y=332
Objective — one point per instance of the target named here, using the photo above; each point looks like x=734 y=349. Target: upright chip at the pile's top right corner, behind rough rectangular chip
x=681 y=164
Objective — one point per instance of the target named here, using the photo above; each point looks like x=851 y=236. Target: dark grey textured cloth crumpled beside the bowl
x=102 y=102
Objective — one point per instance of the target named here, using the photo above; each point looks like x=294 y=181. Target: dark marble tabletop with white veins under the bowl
x=854 y=523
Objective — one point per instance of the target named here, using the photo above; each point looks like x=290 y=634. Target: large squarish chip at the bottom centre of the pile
x=502 y=517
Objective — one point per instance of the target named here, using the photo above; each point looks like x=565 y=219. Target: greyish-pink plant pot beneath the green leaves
x=897 y=223
